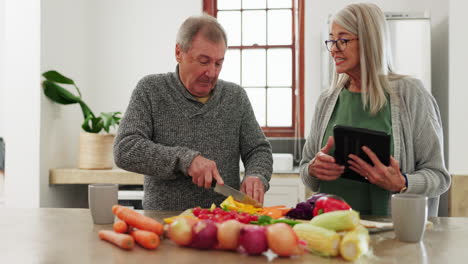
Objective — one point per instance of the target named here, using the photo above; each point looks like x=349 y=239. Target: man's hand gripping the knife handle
x=203 y=171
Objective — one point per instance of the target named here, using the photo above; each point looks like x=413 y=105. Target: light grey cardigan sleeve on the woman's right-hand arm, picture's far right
x=430 y=177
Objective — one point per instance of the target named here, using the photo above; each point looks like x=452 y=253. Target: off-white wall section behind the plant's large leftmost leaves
x=65 y=46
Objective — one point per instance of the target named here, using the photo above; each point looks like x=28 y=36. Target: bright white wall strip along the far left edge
x=21 y=102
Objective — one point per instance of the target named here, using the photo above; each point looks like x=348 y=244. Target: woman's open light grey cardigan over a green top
x=417 y=136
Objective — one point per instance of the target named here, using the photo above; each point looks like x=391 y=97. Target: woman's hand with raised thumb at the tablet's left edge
x=323 y=166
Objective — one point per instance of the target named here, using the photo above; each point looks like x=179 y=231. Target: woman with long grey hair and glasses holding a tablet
x=366 y=93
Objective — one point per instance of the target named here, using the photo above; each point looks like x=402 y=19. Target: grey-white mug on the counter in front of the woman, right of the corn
x=409 y=215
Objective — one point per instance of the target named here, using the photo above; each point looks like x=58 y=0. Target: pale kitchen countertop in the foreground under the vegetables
x=56 y=235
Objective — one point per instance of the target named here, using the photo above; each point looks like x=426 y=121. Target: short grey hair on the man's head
x=207 y=25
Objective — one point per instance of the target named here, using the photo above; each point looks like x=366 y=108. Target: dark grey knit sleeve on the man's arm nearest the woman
x=255 y=149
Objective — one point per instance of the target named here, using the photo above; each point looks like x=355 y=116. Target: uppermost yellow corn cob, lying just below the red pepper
x=337 y=220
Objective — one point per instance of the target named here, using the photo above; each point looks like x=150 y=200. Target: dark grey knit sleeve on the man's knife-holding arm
x=134 y=149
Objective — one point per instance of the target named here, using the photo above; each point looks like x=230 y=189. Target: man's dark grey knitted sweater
x=165 y=127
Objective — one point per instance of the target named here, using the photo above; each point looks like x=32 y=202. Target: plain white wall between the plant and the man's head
x=130 y=40
